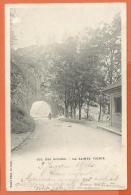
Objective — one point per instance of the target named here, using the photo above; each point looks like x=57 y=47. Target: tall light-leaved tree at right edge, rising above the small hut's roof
x=109 y=43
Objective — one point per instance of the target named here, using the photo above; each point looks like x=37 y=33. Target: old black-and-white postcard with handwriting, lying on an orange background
x=66 y=101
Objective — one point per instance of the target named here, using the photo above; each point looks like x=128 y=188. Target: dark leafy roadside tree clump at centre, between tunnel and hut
x=73 y=73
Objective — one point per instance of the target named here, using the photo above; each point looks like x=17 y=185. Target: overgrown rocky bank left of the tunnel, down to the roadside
x=25 y=89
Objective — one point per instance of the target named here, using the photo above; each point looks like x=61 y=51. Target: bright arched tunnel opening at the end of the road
x=40 y=109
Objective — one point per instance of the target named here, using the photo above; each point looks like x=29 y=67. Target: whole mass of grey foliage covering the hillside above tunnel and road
x=70 y=75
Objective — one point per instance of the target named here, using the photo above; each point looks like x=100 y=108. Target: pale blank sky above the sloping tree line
x=42 y=24
